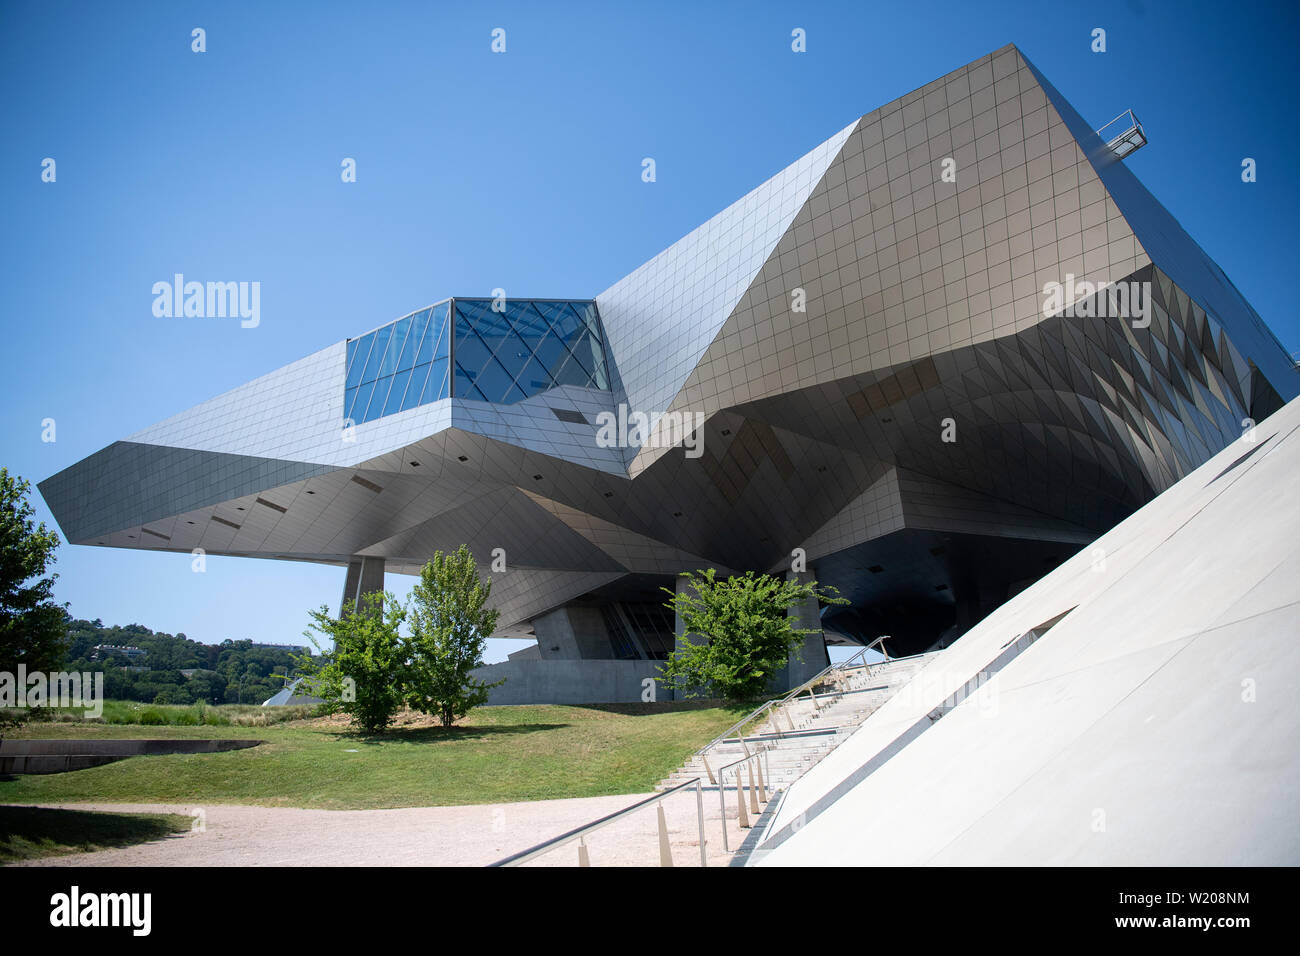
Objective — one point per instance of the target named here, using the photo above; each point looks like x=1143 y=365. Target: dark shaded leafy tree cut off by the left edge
x=33 y=629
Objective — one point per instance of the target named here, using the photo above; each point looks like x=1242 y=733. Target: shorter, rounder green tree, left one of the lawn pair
x=365 y=674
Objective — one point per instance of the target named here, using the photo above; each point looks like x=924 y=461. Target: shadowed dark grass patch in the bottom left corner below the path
x=29 y=833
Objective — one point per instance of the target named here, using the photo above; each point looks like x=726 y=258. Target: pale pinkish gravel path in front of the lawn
x=475 y=836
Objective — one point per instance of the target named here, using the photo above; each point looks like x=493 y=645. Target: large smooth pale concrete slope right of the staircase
x=1154 y=724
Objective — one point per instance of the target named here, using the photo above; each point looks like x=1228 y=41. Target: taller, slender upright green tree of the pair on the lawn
x=450 y=624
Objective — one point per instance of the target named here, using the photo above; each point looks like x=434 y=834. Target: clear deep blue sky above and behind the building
x=479 y=171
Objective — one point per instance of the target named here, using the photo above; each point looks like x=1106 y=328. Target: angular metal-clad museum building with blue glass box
x=925 y=365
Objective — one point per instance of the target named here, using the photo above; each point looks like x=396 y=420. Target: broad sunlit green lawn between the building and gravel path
x=497 y=755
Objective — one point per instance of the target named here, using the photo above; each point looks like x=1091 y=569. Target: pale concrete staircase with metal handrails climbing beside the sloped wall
x=799 y=734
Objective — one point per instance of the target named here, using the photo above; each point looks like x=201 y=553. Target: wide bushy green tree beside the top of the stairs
x=746 y=630
